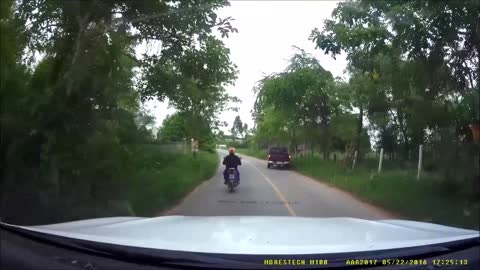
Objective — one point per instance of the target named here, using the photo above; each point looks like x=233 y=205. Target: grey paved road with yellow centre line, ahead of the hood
x=272 y=192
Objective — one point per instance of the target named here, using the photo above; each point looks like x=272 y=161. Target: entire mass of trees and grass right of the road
x=411 y=86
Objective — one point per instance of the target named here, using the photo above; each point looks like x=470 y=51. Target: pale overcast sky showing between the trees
x=267 y=30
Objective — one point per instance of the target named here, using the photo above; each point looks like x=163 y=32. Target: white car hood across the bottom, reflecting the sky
x=257 y=235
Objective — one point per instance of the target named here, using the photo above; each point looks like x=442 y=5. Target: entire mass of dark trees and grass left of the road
x=76 y=139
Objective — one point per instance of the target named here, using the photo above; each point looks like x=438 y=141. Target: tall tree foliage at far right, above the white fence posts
x=414 y=72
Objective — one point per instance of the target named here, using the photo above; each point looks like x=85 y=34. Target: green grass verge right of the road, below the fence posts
x=428 y=199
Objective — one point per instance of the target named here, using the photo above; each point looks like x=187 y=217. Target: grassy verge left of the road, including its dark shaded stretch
x=149 y=182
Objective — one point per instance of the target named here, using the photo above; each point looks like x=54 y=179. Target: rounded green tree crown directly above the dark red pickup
x=305 y=105
